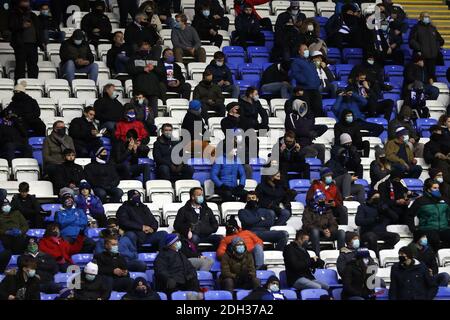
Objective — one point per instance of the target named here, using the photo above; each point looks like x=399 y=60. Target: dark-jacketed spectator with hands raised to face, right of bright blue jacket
x=291 y=157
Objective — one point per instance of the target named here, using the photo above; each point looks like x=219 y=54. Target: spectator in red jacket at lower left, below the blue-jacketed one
x=61 y=250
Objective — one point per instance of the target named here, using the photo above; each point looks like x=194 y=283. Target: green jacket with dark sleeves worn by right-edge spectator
x=433 y=213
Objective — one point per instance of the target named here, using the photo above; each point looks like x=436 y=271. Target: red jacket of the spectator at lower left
x=60 y=249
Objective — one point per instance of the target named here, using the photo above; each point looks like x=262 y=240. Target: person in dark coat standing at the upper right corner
x=425 y=39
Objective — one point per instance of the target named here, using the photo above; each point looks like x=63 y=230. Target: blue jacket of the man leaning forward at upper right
x=305 y=74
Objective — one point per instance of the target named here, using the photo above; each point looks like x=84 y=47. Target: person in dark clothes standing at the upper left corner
x=26 y=38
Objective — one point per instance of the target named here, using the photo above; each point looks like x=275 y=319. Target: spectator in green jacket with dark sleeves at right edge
x=434 y=215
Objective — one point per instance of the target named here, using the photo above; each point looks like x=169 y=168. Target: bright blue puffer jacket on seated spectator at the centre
x=224 y=172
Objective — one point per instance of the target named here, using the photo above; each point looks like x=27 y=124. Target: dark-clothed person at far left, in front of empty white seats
x=28 y=206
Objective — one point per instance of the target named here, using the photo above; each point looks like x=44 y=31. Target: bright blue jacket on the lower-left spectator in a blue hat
x=71 y=221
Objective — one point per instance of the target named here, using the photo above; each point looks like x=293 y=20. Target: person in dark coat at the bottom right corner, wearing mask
x=411 y=279
